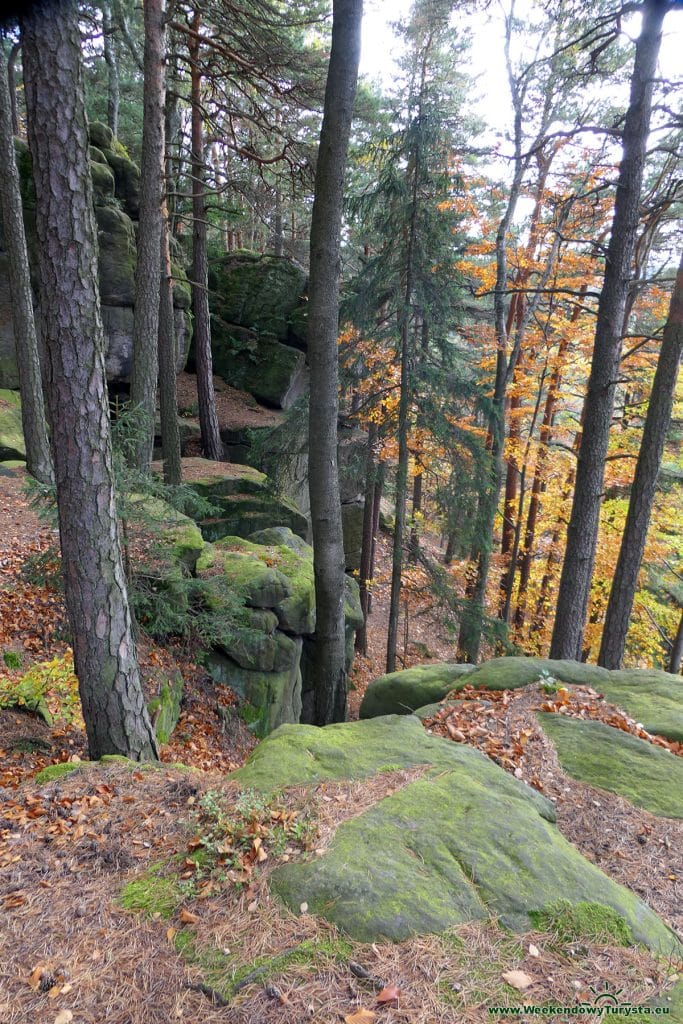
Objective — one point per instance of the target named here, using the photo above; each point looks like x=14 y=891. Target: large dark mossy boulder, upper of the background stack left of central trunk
x=260 y=292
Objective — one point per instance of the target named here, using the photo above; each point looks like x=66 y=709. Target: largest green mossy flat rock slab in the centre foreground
x=465 y=842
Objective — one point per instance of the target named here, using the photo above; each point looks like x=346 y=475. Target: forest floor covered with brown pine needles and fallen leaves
x=70 y=952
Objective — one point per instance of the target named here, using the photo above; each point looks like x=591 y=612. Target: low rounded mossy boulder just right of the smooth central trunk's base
x=404 y=693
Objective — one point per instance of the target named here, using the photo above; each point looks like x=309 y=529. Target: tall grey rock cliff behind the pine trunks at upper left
x=116 y=182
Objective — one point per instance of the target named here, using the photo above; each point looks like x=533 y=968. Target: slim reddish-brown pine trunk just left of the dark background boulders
x=212 y=447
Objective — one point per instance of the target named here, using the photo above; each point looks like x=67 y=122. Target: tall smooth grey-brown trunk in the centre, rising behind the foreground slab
x=323 y=329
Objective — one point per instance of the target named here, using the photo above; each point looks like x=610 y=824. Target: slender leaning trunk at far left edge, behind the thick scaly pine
x=33 y=409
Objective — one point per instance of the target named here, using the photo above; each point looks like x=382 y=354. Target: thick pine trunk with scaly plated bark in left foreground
x=116 y=717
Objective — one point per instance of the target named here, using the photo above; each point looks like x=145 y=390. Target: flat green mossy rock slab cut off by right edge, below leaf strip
x=646 y=776
